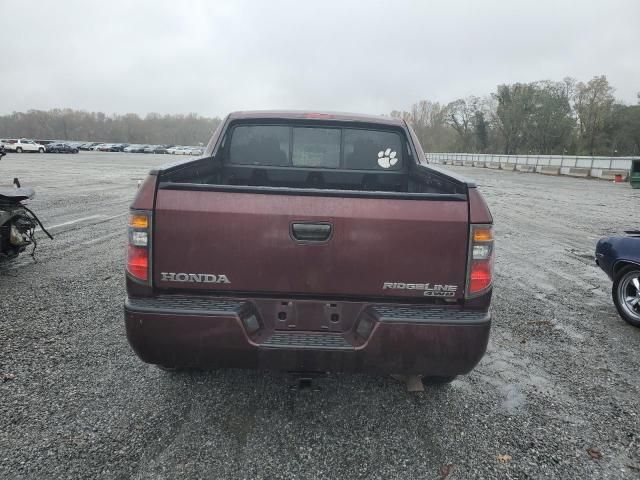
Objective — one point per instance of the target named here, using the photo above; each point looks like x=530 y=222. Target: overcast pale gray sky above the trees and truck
x=212 y=57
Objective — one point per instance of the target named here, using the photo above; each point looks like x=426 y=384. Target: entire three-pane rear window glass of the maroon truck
x=315 y=147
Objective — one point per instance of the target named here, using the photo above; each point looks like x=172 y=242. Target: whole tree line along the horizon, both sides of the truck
x=545 y=117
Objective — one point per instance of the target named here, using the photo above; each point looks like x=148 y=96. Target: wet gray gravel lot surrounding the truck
x=561 y=375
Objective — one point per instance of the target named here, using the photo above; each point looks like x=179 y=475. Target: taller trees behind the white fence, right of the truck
x=544 y=117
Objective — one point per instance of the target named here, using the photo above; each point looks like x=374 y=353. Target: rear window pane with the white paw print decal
x=372 y=150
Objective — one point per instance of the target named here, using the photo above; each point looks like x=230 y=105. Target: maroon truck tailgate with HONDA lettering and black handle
x=243 y=242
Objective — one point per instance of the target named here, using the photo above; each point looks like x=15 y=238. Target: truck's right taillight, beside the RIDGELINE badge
x=480 y=267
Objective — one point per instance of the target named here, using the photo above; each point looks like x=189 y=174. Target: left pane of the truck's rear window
x=259 y=145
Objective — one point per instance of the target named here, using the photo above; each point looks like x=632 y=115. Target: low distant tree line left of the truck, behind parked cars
x=68 y=124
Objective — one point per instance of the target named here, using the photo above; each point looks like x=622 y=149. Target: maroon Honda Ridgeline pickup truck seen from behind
x=310 y=242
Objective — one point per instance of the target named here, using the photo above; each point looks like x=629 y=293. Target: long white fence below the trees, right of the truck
x=601 y=163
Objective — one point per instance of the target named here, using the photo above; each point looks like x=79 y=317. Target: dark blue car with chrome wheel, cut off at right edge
x=619 y=257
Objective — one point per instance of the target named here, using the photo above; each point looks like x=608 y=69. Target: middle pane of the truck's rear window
x=316 y=147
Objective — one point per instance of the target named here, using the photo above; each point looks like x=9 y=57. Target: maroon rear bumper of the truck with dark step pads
x=180 y=331
